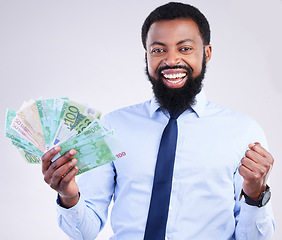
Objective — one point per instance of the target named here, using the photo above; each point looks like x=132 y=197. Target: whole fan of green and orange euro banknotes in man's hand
x=41 y=124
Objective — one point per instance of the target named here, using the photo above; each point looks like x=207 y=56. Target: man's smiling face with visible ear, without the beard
x=175 y=43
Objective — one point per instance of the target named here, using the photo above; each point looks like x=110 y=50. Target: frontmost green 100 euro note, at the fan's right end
x=94 y=147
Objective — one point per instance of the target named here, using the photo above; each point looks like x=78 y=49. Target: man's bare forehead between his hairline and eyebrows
x=174 y=31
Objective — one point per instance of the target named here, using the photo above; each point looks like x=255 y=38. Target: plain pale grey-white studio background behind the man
x=91 y=52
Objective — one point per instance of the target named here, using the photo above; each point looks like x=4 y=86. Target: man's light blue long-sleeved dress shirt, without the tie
x=206 y=184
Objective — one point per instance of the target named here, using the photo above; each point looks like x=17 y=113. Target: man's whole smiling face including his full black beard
x=176 y=63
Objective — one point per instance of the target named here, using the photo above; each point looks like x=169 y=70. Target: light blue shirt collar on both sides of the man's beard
x=198 y=107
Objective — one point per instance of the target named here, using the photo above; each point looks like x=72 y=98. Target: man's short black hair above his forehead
x=177 y=10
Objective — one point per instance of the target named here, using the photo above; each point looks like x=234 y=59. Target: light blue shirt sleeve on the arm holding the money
x=87 y=218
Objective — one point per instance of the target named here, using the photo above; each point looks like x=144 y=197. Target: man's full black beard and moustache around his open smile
x=177 y=100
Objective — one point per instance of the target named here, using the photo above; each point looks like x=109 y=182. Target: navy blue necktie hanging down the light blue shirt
x=158 y=210
